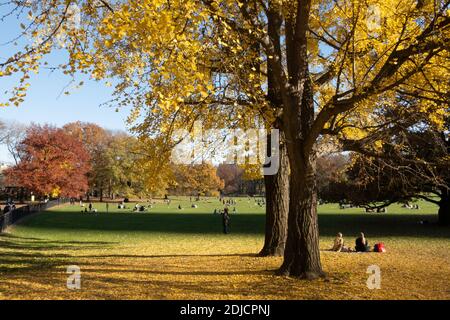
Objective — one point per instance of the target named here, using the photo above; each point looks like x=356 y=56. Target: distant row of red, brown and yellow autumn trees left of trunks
x=86 y=160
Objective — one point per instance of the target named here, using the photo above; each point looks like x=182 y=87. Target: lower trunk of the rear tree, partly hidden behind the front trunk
x=277 y=204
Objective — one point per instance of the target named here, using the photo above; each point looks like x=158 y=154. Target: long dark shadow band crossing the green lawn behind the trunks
x=379 y=225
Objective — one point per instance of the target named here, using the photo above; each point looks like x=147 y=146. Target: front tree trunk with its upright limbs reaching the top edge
x=301 y=254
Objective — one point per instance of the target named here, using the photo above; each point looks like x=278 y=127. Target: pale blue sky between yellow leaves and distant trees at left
x=45 y=103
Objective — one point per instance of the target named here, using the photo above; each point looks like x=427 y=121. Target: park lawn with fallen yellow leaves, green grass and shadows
x=167 y=253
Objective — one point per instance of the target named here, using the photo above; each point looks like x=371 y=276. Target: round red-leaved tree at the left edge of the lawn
x=54 y=163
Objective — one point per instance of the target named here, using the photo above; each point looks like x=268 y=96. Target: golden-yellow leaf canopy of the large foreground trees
x=178 y=61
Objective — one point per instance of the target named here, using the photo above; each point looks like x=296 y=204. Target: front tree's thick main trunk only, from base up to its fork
x=302 y=252
